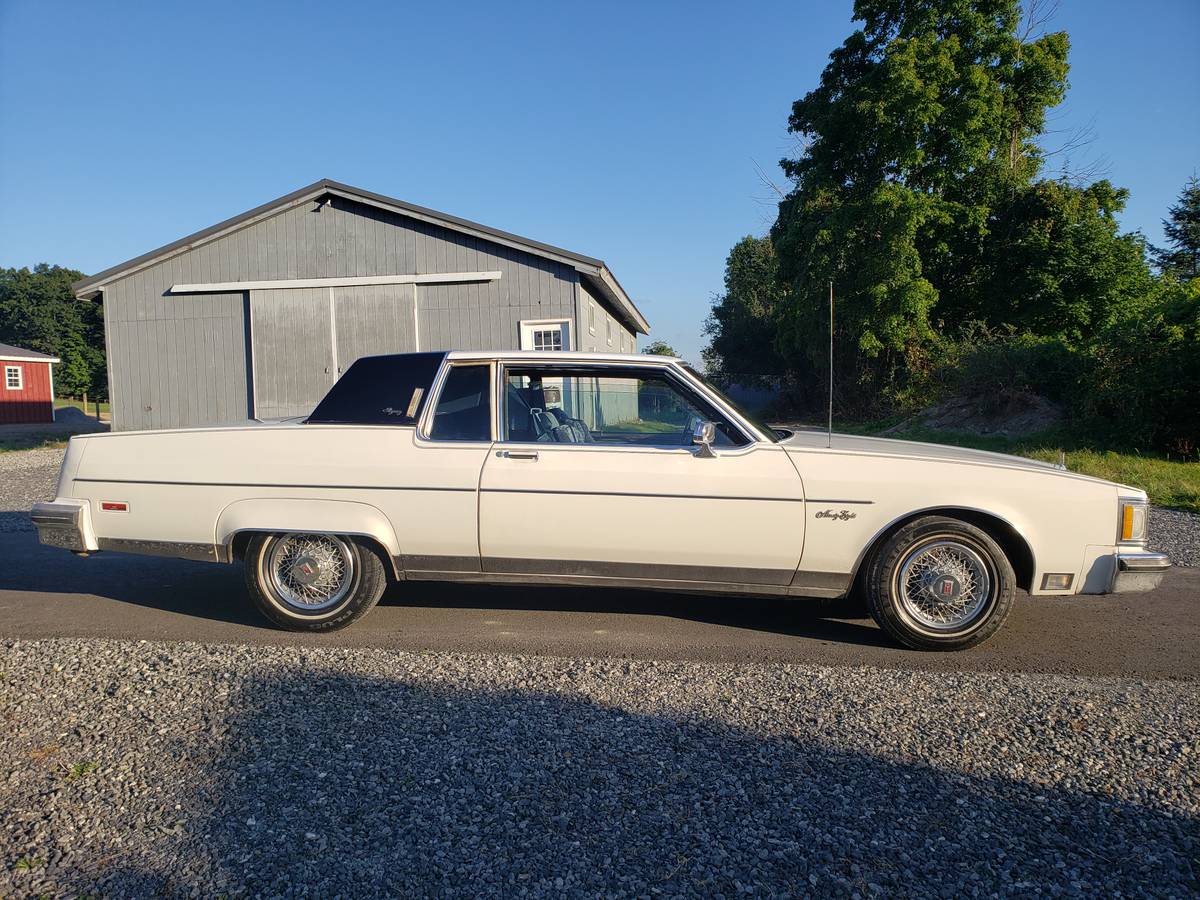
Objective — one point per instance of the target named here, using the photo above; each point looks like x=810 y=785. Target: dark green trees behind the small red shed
x=39 y=311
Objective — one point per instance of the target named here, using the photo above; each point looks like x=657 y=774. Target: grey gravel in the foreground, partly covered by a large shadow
x=135 y=770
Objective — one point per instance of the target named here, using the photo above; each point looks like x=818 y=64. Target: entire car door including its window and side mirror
x=596 y=476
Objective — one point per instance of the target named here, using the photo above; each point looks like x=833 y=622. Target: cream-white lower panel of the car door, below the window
x=643 y=512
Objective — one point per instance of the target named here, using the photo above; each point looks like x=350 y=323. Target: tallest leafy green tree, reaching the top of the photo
x=923 y=119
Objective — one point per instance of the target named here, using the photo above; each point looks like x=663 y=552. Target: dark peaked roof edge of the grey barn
x=595 y=271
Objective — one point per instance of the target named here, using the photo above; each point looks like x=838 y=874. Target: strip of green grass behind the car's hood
x=1169 y=483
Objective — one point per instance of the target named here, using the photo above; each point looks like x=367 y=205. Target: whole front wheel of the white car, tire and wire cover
x=940 y=585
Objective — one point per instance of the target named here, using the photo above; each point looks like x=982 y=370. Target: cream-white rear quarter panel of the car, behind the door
x=203 y=487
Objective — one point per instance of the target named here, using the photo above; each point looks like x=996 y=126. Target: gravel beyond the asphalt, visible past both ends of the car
x=32 y=476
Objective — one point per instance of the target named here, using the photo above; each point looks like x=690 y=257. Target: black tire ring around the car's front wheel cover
x=884 y=581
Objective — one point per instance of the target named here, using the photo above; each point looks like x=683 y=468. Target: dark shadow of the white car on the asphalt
x=217 y=593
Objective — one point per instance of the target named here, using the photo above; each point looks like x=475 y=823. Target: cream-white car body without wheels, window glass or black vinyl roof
x=791 y=518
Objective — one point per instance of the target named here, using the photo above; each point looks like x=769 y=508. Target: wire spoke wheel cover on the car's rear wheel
x=310 y=573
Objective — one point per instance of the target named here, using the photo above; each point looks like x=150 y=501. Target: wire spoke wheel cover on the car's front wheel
x=944 y=585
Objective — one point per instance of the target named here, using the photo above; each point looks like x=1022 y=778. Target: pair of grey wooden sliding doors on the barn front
x=303 y=339
